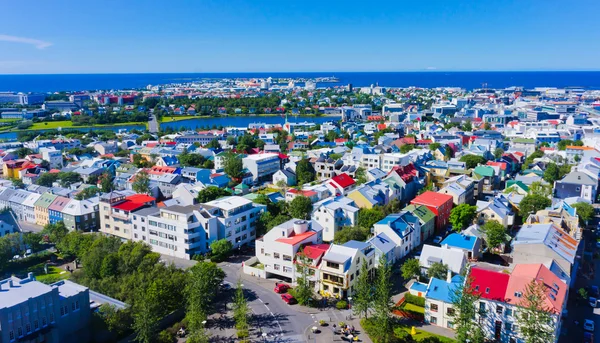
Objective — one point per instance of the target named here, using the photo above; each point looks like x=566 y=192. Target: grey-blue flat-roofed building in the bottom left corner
x=31 y=311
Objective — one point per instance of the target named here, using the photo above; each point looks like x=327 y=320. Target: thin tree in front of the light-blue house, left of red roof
x=463 y=304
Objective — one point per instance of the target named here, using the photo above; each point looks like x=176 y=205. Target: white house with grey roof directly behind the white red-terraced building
x=334 y=213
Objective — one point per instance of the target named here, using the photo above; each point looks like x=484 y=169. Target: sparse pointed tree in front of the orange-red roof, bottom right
x=536 y=323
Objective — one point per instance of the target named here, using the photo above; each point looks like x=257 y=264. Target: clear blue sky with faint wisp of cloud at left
x=134 y=36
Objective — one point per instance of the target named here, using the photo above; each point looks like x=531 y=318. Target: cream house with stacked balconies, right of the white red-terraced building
x=341 y=266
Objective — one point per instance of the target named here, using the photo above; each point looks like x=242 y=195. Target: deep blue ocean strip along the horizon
x=430 y=79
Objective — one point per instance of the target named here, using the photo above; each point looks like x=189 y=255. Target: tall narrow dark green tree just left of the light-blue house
x=382 y=301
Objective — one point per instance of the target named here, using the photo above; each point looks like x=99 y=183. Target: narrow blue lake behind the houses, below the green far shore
x=198 y=123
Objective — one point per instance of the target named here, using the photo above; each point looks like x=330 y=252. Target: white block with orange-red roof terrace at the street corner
x=277 y=249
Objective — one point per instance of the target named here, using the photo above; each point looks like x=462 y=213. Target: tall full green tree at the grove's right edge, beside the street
x=202 y=281
